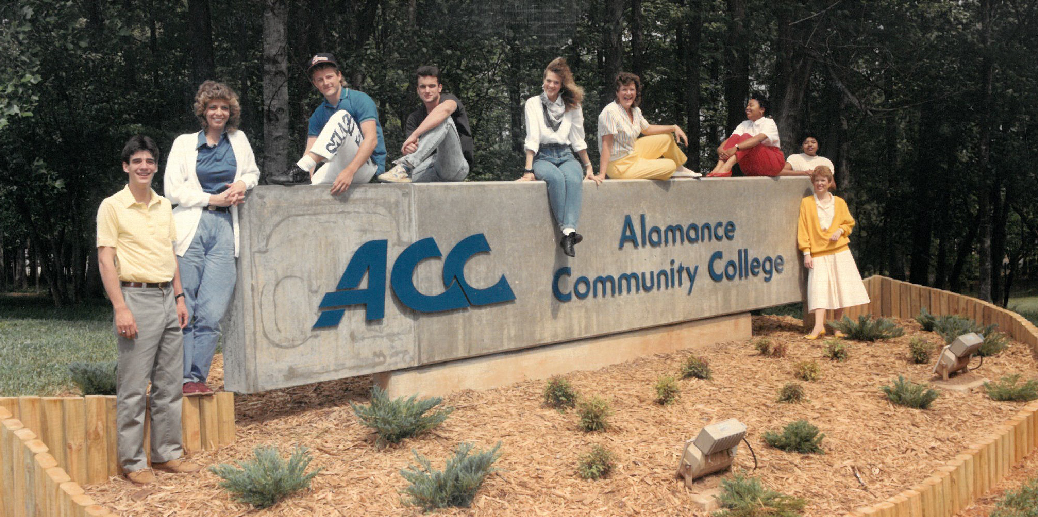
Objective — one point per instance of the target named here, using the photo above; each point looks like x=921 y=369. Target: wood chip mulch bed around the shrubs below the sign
x=888 y=448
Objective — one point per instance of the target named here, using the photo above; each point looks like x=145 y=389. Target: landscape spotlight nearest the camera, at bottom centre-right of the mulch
x=713 y=451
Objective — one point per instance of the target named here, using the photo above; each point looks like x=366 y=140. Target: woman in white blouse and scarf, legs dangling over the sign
x=555 y=132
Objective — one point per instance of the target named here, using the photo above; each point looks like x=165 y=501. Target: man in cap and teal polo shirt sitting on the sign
x=344 y=132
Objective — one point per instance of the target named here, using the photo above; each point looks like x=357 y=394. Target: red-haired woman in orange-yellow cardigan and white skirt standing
x=824 y=235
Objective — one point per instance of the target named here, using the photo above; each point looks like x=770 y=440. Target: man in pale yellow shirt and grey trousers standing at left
x=139 y=268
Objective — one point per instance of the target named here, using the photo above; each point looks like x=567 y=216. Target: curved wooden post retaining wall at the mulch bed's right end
x=979 y=469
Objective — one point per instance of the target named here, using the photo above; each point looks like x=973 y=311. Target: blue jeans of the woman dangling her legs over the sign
x=558 y=168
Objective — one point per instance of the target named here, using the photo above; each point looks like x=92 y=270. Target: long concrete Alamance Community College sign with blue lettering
x=396 y=277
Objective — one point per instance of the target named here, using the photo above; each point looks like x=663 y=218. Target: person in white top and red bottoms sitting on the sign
x=754 y=145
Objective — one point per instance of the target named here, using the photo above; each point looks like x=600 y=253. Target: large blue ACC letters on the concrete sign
x=371 y=260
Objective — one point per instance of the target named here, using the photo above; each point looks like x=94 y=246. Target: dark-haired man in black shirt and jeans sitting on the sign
x=440 y=143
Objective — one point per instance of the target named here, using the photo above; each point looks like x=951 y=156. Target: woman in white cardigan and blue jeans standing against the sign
x=207 y=176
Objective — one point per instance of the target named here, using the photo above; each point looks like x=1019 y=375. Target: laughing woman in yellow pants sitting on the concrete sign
x=627 y=157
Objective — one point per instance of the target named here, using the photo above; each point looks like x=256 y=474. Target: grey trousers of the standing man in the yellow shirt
x=156 y=357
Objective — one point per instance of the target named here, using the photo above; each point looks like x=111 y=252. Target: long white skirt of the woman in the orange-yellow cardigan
x=834 y=283
